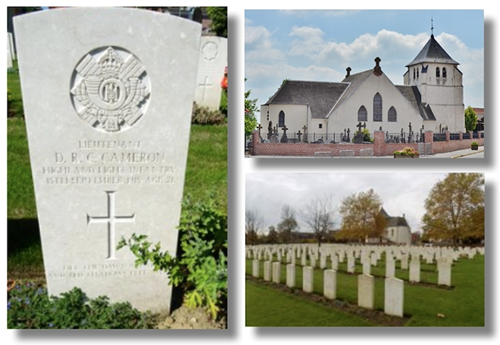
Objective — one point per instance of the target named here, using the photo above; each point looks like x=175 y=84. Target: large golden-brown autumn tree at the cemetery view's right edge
x=455 y=209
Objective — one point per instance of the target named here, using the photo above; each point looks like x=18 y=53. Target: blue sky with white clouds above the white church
x=320 y=44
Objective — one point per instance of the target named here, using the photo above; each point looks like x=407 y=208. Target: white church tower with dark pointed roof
x=437 y=77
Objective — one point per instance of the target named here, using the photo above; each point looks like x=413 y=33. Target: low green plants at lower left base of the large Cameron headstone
x=29 y=307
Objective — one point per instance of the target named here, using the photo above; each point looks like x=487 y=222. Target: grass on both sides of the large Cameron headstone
x=206 y=177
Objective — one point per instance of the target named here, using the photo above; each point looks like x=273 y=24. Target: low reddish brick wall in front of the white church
x=380 y=147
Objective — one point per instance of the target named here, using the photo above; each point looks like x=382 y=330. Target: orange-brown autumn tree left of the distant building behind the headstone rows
x=361 y=217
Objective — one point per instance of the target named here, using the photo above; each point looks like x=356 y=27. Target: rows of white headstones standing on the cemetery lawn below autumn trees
x=368 y=255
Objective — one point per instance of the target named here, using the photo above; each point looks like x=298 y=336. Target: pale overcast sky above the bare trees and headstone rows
x=401 y=193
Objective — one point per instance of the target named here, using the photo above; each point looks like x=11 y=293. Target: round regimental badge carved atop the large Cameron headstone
x=110 y=89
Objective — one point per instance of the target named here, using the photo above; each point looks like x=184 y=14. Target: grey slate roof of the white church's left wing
x=320 y=96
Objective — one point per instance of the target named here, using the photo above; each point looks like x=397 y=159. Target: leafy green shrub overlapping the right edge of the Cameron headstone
x=200 y=268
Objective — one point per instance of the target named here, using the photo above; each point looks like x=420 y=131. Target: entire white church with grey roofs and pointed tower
x=432 y=97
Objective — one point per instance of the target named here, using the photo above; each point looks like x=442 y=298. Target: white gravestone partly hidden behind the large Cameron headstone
x=212 y=63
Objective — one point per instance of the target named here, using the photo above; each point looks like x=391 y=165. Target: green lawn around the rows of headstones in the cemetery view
x=425 y=305
